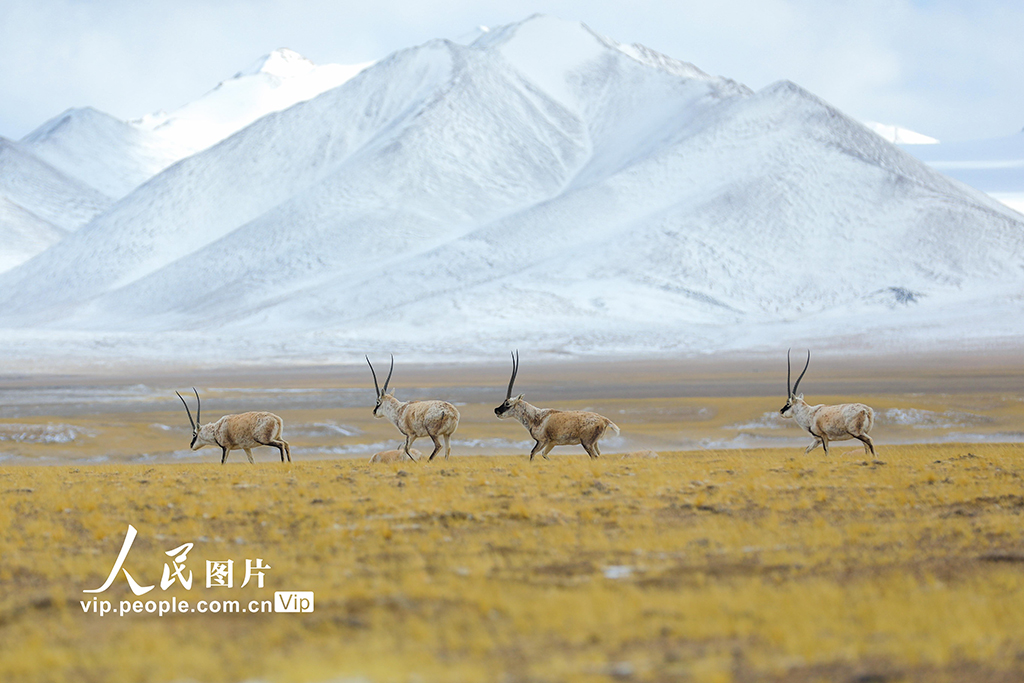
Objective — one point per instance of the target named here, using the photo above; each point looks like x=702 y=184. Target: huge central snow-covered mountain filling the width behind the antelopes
x=541 y=186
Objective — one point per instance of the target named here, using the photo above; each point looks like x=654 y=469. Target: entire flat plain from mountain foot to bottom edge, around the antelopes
x=702 y=565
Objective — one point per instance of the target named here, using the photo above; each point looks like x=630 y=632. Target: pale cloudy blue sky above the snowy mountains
x=951 y=70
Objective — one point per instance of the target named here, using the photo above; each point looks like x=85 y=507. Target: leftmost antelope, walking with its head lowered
x=245 y=432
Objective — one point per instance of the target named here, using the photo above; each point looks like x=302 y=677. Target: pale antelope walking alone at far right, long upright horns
x=828 y=423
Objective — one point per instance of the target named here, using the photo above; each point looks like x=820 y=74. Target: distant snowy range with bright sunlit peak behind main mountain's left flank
x=66 y=173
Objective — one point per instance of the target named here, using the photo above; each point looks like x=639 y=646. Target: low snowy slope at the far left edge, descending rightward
x=38 y=205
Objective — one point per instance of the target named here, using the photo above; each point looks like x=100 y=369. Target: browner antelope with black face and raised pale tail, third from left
x=549 y=428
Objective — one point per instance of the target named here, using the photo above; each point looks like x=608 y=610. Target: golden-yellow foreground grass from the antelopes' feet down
x=706 y=566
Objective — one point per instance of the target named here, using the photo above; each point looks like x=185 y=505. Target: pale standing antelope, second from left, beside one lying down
x=437 y=419
